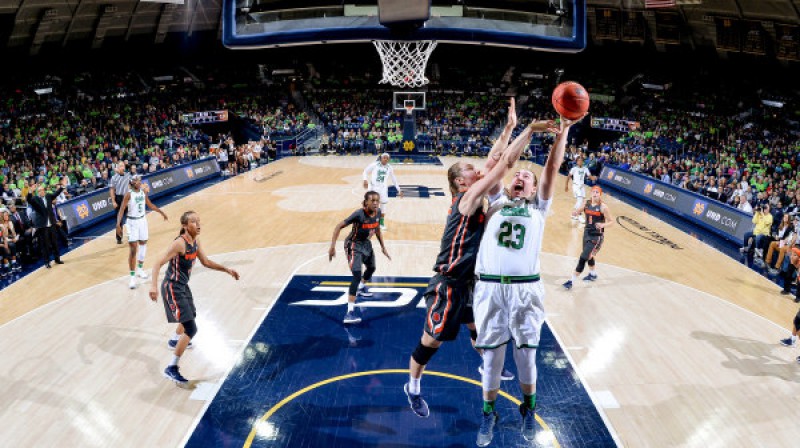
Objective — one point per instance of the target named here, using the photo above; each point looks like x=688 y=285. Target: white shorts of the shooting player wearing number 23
x=508 y=311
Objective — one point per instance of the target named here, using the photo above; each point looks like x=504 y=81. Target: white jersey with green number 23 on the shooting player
x=512 y=239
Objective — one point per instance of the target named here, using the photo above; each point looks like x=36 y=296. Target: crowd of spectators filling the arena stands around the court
x=742 y=155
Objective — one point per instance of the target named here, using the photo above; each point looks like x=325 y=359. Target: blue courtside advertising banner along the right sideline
x=720 y=218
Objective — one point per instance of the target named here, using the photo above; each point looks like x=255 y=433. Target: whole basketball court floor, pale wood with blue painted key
x=675 y=345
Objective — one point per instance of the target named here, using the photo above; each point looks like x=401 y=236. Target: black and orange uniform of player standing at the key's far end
x=357 y=245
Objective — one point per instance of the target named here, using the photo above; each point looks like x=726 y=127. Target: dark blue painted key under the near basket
x=301 y=343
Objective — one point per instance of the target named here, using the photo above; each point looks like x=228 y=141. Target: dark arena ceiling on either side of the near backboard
x=32 y=24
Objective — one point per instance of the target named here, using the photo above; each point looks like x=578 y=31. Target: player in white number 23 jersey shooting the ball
x=508 y=297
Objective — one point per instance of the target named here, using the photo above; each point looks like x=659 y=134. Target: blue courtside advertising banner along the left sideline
x=88 y=209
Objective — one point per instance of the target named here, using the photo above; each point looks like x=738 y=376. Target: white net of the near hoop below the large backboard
x=404 y=61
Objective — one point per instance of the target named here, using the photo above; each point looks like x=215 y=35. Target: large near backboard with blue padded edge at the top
x=548 y=25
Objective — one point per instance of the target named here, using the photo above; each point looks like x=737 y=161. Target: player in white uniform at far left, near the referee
x=136 y=200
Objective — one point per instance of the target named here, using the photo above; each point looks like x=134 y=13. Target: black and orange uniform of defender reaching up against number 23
x=449 y=294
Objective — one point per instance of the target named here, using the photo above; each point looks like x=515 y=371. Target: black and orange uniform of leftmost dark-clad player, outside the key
x=178 y=300
